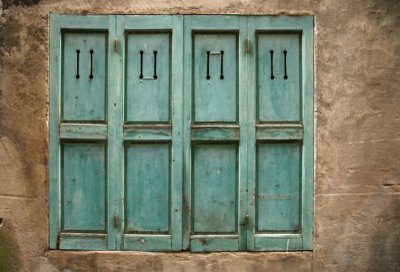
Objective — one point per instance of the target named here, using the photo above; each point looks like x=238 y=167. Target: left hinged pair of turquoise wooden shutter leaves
x=116 y=132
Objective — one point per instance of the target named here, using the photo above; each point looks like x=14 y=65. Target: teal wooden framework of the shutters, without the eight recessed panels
x=182 y=134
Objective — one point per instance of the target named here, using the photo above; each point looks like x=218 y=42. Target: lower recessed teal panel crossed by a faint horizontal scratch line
x=278 y=187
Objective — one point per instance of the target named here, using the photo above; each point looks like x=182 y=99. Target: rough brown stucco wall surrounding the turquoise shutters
x=357 y=139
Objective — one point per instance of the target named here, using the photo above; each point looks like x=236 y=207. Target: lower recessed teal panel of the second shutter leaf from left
x=147 y=188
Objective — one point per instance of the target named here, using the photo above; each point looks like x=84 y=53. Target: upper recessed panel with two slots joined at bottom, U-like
x=148 y=77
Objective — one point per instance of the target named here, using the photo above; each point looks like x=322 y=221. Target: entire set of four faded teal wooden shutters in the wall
x=257 y=132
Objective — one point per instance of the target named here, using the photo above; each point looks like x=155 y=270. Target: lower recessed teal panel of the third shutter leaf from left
x=214 y=189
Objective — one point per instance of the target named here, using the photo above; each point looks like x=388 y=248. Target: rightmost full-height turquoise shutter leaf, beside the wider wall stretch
x=280 y=133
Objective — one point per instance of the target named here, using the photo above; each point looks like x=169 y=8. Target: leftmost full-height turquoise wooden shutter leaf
x=80 y=185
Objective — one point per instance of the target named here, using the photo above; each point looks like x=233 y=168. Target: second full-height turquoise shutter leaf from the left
x=152 y=133
